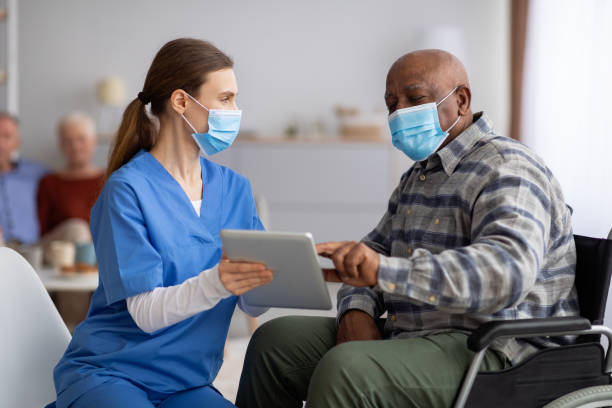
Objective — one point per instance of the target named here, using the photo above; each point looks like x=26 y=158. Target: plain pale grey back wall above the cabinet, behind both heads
x=294 y=59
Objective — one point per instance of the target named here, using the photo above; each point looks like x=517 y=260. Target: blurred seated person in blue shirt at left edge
x=18 y=183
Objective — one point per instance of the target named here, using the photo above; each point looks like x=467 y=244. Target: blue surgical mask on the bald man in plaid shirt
x=416 y=130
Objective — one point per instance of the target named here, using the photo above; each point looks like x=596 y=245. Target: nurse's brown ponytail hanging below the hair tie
x=135 y=133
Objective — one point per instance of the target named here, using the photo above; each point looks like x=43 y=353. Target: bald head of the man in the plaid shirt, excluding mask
x=426 y=76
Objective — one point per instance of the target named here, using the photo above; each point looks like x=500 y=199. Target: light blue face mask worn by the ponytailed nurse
x=223 y=126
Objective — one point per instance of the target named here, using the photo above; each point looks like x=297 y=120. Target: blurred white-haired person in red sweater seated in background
x=65 y=199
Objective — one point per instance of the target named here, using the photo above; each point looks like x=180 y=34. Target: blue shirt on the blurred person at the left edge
x=18 y=215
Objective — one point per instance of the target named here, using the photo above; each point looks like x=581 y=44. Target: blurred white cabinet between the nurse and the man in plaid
x=335 y=190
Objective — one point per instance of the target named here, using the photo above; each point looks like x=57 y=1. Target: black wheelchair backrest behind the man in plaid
x=593 y=271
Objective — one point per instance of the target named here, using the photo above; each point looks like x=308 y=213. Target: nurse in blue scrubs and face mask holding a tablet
x=156 y=328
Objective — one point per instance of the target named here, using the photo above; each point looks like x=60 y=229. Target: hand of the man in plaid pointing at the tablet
x=356 y=263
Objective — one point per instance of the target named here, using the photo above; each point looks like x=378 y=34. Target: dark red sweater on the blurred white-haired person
x=61 y=198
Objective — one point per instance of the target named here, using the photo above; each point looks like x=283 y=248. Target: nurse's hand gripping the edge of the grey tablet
x=240 y=277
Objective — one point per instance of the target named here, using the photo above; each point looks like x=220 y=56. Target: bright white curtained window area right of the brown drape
x=566 y=103
